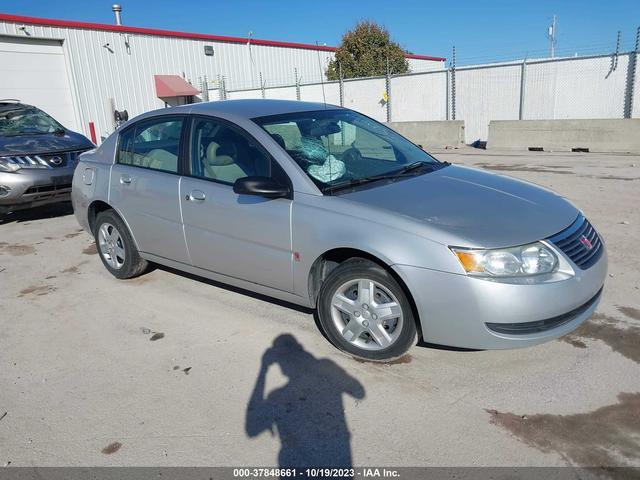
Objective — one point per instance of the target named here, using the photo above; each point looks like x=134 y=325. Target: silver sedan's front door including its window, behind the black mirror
x=241 y=236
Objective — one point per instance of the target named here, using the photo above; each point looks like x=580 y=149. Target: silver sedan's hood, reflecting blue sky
x=468 y=207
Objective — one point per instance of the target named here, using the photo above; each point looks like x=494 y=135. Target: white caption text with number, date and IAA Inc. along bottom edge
x=362 y=472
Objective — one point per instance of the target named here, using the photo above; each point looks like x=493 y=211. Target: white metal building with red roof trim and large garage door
x=80 y=72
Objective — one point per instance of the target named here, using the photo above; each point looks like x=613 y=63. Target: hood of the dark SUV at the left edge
x=46 y=143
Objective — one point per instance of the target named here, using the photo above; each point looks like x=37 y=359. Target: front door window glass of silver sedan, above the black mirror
x=223 y=153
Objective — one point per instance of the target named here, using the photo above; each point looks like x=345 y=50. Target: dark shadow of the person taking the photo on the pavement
x=307 y=413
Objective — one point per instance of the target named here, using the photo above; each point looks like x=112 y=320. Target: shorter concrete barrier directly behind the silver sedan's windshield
x=435 y=134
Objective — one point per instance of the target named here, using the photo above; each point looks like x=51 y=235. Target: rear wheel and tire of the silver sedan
x=116 y=248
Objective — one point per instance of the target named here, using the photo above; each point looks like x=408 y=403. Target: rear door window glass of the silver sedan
x=153 y=144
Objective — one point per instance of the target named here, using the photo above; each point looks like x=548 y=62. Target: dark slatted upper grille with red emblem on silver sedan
x=580 y=242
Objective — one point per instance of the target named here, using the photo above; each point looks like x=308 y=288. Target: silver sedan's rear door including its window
x=145 y=185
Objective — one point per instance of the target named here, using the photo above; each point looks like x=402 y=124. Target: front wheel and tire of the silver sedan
x=379 y=330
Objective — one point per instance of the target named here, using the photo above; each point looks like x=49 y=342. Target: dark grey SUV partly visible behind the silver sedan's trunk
x=37 y=157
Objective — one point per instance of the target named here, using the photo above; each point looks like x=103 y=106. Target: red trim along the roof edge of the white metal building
x=171 y=33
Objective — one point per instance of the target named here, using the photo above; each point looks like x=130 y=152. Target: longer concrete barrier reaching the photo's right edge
x=606 y=135
